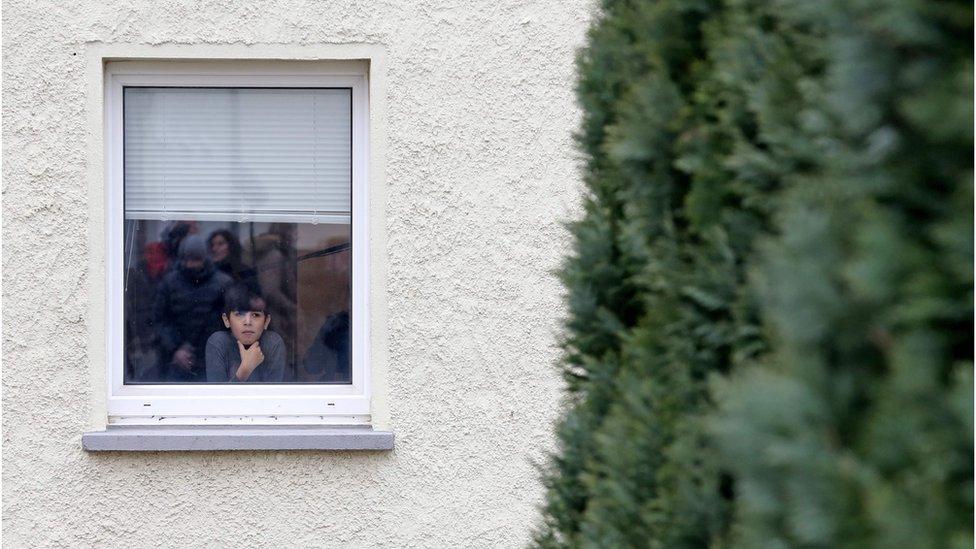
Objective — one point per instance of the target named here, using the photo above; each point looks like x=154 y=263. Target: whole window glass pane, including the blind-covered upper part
x=237 y=235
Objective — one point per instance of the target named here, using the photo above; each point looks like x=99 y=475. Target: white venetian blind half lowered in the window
x=238 y=154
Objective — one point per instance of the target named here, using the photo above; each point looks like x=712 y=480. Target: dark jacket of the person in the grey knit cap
x=186 y=311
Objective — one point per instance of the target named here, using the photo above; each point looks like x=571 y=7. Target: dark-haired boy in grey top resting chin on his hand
x=247 y=350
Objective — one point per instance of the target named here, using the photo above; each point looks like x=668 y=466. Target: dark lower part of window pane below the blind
x=196 y=292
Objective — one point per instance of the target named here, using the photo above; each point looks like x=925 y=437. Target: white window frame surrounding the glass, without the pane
x=236 y=403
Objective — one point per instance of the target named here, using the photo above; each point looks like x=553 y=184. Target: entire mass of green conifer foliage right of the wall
x=770 y=296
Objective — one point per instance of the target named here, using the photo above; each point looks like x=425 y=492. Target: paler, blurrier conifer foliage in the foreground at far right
x=855 y=430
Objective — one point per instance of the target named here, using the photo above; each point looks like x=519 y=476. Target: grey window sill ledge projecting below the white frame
x=129 y=438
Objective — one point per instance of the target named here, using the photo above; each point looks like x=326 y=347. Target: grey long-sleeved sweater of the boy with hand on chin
x=223 y=358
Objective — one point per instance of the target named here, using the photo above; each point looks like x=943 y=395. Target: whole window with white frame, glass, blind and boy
x=237 y=242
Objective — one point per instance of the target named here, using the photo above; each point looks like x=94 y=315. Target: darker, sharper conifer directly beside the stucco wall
x=678 y=185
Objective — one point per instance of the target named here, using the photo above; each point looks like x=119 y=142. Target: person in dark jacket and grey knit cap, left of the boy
x=187 y=310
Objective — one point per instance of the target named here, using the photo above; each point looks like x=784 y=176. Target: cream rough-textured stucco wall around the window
x=479 y=173
